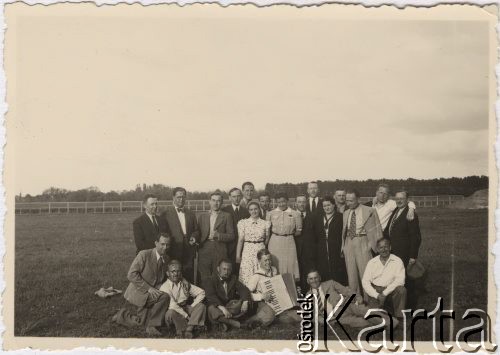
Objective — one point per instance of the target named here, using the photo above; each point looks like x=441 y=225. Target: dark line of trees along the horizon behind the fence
x=416 y=187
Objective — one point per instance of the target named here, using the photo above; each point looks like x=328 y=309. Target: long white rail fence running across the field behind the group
x=194 y=205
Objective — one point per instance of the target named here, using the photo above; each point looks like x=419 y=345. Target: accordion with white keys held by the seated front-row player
x=282 y=288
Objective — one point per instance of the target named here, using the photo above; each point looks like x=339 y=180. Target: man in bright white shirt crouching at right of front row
x=384 y=279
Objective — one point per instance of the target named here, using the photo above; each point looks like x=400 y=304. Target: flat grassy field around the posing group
x=61 y=260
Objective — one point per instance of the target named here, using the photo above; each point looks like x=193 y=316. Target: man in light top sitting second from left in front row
x=186 y=310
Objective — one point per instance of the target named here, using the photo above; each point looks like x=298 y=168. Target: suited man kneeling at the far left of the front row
x=146 y=275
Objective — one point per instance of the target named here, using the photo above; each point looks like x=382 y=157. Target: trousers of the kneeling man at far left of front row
x=151 y=315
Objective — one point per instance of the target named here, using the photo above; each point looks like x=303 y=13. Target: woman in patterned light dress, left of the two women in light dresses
x=253 y=235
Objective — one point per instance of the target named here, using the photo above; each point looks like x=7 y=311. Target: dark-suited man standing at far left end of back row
x=146 y=226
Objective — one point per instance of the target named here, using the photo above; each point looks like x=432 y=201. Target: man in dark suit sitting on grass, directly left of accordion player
x=227 y=297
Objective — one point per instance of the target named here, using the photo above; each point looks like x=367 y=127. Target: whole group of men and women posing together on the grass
x=188 y=266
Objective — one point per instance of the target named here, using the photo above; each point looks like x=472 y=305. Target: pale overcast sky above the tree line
x=212 y=103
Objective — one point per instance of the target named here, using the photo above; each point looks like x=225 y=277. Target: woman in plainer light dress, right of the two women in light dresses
x=285 y=224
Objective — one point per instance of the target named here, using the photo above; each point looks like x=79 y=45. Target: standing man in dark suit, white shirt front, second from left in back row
x=180 y=222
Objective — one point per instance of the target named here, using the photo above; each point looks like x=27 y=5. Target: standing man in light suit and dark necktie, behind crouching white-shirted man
x=361 y=231
